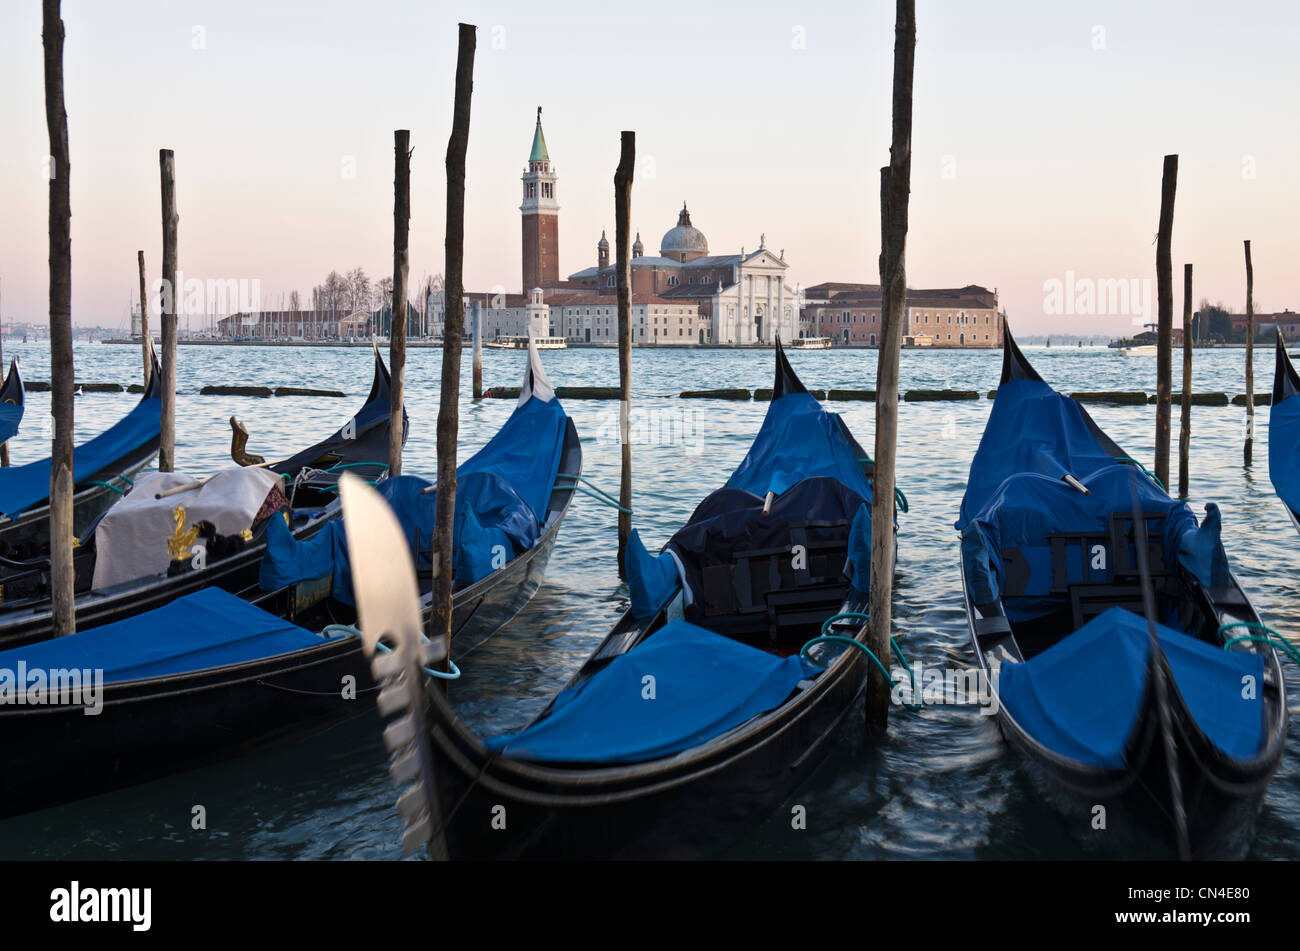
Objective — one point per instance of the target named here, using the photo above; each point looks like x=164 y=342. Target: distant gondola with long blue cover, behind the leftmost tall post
x=103 y=470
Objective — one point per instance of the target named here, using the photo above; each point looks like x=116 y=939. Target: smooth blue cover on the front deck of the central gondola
x=682 y=688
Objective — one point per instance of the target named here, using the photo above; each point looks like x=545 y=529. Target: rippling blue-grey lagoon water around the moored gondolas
x=942 y=787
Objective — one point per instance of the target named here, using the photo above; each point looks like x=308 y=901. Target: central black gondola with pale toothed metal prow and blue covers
x=699 y=713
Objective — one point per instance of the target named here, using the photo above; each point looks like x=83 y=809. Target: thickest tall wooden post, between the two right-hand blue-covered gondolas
x=895 y=188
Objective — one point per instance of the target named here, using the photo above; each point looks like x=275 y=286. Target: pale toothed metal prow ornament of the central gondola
x=388 y=606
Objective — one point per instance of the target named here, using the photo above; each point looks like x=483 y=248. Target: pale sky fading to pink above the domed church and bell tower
x=1038 y=144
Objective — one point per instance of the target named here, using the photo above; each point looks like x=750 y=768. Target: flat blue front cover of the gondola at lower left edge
x=207 y=629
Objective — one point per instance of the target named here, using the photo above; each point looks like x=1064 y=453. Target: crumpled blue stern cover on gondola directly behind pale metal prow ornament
x=502 y=493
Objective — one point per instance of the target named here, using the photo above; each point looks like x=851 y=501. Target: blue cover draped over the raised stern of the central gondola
x=799 y=440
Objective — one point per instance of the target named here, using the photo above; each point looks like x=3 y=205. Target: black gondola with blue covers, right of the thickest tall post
x=1099 y=611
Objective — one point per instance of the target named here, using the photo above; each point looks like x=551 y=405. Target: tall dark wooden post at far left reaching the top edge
x=60 y=328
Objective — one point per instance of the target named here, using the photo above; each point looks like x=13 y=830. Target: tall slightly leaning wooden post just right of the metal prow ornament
x=453 y=331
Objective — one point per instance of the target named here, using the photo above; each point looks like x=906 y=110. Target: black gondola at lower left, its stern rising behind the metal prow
x=211 y=674
